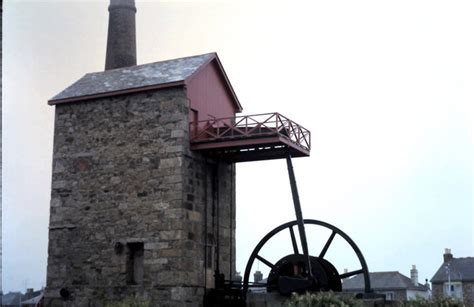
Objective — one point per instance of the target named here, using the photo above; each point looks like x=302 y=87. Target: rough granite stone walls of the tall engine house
x=124 y=176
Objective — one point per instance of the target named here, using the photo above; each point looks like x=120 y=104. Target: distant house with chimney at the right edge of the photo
x=455 y=278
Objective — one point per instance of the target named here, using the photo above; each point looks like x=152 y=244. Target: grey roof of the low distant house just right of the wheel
x=382 y=281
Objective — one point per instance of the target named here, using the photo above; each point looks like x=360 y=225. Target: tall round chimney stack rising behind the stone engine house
x=121 y=41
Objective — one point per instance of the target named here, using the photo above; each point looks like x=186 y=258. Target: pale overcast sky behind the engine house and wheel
x=386 y=88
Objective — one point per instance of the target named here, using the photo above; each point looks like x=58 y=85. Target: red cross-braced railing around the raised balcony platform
x=250 y=126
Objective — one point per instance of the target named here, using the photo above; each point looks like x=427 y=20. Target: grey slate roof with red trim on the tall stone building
x=140 y=78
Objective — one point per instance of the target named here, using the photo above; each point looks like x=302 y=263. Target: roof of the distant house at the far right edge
x=460 y=269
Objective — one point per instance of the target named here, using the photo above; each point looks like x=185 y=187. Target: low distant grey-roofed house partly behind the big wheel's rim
x=394 y=285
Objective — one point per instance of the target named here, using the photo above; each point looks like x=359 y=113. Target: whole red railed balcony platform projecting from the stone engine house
x=250 y=138
